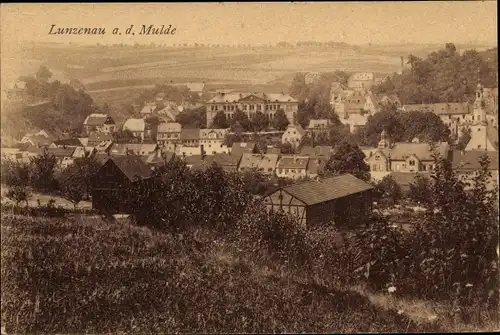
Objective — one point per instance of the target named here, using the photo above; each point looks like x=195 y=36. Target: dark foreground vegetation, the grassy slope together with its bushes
x=229 y=266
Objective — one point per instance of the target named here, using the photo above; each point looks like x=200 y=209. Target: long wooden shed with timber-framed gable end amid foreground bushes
x=343 y=199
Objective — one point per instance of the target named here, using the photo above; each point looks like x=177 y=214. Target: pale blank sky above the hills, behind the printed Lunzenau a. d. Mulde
x=260 y=23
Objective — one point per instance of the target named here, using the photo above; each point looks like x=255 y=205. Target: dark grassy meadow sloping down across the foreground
x=64 y=276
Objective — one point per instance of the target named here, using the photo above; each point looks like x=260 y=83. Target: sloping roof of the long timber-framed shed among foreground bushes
x=315 y=192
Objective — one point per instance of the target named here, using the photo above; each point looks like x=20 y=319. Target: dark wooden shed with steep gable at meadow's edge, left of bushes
x=114 y=184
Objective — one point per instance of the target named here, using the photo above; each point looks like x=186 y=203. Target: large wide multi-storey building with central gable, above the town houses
x=251 y=103
